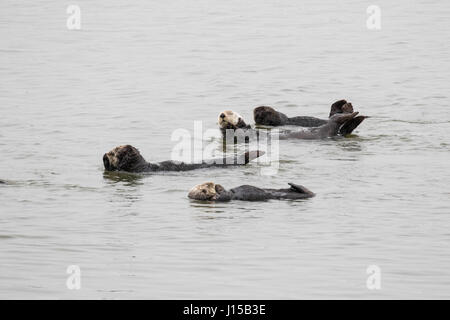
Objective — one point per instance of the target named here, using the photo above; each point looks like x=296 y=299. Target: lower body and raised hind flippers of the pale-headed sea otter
x=330 y=129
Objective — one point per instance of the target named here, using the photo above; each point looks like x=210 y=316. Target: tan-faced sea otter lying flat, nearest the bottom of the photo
x=215 y=192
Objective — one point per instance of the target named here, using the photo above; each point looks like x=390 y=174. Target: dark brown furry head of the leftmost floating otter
x=122 y=158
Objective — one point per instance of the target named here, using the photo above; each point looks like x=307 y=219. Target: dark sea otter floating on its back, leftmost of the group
x=127 y=158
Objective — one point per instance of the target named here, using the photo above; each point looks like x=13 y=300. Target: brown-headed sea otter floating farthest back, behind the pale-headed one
x=269 y=116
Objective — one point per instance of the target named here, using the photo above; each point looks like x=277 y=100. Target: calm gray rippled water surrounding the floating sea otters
x=136 y=72
